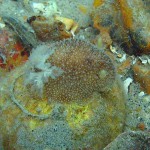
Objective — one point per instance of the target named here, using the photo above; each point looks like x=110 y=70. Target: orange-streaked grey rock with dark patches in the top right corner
x=126 y=22
